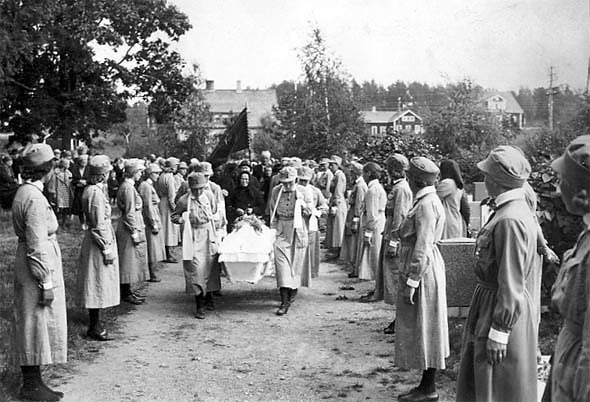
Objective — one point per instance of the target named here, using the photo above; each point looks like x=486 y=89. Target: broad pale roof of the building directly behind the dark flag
x=258 y=101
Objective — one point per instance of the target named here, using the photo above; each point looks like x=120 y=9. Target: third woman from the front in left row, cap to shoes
x=131 y=242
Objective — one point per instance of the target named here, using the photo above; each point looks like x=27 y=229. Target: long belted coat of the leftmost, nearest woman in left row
x=40 y=332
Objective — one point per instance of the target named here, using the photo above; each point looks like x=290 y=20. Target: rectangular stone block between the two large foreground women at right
x=459 y=257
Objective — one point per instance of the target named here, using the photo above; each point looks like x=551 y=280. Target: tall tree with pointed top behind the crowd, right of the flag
x=319 y=116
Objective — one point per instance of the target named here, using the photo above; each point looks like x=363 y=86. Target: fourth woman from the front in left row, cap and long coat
x=151 y=217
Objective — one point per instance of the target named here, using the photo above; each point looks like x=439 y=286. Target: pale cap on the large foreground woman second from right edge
x=507 y=165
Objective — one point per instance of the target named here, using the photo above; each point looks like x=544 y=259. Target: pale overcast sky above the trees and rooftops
x=501 y=44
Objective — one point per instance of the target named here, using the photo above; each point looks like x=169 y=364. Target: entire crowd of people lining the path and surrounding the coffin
x=167 y=206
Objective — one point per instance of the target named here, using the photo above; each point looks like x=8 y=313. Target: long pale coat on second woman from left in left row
x=98 y=283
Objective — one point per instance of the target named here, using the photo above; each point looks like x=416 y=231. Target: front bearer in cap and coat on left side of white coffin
x=195 y=210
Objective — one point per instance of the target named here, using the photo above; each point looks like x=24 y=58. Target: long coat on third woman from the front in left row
x=133 y=263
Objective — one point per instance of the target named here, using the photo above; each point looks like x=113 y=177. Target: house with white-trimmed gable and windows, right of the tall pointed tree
x=379 y=122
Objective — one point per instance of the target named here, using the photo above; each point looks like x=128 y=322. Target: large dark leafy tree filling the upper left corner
x=51 y=80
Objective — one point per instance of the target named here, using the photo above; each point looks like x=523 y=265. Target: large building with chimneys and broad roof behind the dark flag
x=226 y=103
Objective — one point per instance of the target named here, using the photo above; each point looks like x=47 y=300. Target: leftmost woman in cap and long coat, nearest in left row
x=39 y=293
